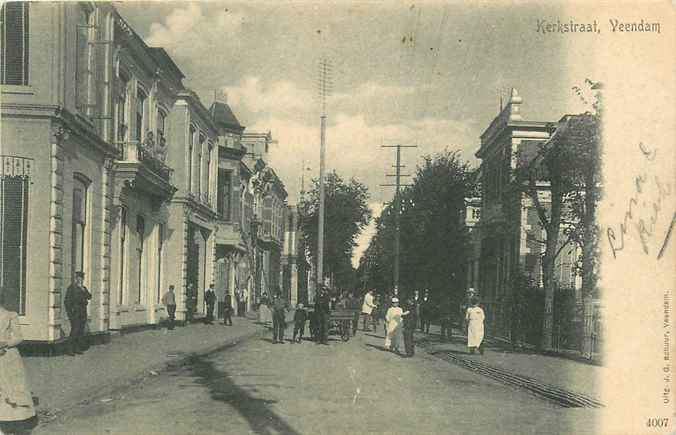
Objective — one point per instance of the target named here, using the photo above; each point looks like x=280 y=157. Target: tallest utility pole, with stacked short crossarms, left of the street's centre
x=324 y=92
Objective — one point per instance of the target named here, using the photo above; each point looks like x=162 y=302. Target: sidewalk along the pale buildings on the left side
x=63 y=381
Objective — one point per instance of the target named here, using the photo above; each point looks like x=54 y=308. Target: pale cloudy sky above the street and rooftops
x=427 y=74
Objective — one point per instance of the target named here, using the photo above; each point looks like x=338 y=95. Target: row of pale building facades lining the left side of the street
x=109 y=166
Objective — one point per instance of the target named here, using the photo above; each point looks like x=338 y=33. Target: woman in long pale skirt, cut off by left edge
x=16 y=401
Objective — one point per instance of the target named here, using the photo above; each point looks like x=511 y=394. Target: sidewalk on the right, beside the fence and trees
x=564 y=373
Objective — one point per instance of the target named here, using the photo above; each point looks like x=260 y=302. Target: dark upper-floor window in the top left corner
x=14 y=44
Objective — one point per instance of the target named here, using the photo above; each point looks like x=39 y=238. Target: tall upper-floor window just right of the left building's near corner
x=84 y=60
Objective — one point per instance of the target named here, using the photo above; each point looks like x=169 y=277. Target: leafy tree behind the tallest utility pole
x=346 y=213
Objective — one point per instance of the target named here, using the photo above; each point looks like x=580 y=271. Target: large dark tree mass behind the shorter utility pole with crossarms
x=432 y=237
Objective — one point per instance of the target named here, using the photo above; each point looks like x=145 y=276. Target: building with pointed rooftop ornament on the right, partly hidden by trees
x=511 y=236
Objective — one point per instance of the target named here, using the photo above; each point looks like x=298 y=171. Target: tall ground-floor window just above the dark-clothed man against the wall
x=79 y=225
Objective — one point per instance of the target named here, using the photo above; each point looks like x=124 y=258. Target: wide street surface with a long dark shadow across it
x=258 y=387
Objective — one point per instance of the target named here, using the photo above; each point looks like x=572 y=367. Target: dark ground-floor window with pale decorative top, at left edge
x=14 y=187
